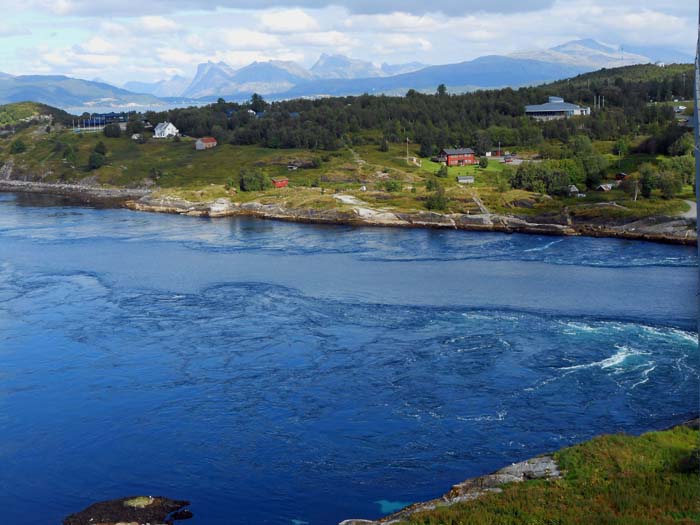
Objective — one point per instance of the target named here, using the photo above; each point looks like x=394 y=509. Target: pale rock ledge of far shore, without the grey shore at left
x=673 y=230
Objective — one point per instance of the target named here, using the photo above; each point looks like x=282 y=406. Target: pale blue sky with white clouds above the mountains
x=148 y=40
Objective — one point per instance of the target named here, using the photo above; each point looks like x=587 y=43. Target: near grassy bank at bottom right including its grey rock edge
x=619 y=479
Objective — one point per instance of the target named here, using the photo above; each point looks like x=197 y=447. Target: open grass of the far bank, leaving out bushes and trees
x=384 y=180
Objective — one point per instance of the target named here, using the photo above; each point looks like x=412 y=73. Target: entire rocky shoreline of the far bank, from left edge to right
x=673 y=230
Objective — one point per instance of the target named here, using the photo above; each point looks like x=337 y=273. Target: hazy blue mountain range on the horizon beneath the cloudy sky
x=333 y=75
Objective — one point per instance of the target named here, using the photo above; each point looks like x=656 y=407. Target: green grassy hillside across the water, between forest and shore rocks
x=173 y=166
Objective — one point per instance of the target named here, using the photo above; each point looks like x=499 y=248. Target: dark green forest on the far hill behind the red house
x=636 y=103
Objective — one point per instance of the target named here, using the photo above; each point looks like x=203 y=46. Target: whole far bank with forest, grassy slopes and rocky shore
x=625 y=170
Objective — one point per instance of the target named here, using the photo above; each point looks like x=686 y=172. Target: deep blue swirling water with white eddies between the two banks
x=279 y=373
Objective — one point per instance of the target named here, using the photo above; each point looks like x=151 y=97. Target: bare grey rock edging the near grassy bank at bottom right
x=543 y=467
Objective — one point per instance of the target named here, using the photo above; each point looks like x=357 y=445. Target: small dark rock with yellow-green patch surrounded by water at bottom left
x=135 y=510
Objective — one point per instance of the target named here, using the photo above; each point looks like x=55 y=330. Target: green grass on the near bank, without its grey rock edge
x=610 y=480
